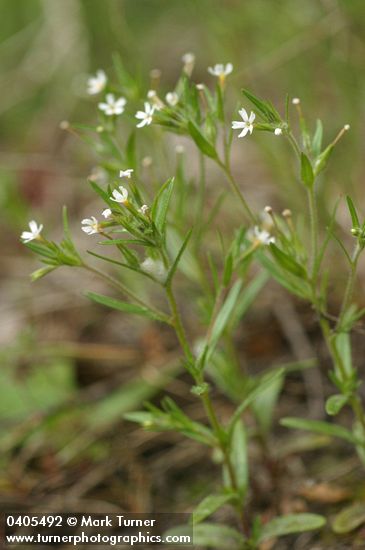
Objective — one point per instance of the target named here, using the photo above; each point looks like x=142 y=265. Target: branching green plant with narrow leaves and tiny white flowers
x=167 y=238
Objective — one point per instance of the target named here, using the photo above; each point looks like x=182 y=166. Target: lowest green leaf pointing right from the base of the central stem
x=292 y=523
